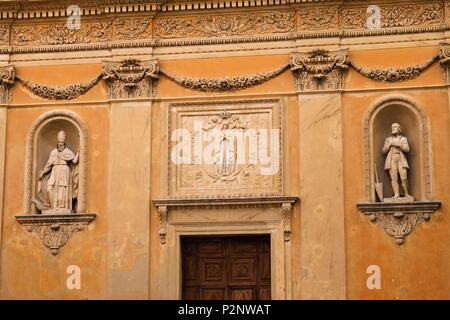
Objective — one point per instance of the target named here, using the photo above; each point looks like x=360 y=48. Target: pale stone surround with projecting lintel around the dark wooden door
x=187 y=218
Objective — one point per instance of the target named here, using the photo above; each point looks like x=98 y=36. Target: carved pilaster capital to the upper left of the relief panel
x=131 y=78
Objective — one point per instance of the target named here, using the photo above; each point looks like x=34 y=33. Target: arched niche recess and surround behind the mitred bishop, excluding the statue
x=41 y=140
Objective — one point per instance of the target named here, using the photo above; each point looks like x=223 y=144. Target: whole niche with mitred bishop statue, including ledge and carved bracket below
x=56 y=178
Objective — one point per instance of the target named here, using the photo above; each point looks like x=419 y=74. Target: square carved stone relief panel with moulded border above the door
x=229 y=148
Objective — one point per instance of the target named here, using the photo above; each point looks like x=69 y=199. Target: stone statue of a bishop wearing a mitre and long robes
x=58 y=180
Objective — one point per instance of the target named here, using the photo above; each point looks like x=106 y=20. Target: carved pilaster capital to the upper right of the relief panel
x=320 y=69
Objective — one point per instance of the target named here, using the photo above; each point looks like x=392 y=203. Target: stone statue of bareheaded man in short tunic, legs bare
x=396 y=147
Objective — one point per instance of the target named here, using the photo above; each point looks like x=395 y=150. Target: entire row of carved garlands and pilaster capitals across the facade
x=314 y=70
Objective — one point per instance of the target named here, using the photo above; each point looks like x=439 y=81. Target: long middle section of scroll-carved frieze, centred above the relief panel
x=225 y=25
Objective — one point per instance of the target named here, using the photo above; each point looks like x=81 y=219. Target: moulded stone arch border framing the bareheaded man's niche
x=425 y=144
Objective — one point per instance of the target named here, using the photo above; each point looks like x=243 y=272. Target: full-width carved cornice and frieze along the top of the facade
x=129 y=24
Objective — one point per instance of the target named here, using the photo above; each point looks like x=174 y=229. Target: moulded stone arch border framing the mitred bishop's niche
x=30 y=156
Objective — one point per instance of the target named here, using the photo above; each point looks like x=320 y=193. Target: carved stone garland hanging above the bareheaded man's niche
x=394 y=74
